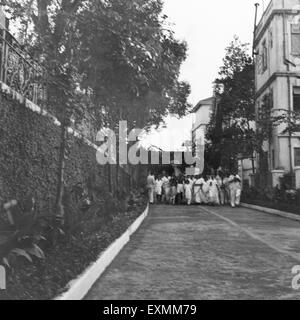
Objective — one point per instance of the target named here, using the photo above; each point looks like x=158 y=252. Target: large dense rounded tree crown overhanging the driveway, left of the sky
x=131 y=61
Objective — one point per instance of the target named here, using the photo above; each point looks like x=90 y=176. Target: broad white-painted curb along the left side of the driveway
x=79 y=287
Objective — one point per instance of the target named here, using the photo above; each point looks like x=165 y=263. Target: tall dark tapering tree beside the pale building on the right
x=231 y=131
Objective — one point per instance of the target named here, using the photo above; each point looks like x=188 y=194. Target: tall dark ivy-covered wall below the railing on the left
x=29 y=145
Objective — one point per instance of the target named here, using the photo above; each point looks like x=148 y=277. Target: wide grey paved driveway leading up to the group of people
x=205 y=253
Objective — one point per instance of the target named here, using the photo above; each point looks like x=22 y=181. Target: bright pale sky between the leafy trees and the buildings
x=208 y=27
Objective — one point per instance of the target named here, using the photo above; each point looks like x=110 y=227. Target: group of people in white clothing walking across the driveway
x=213 y=190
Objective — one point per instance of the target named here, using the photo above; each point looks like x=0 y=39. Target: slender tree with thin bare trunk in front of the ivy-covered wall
x=48 y=30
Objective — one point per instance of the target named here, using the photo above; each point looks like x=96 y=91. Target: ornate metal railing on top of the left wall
x=19 y=70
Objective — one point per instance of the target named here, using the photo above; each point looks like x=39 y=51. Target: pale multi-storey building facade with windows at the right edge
x=277 y=73
